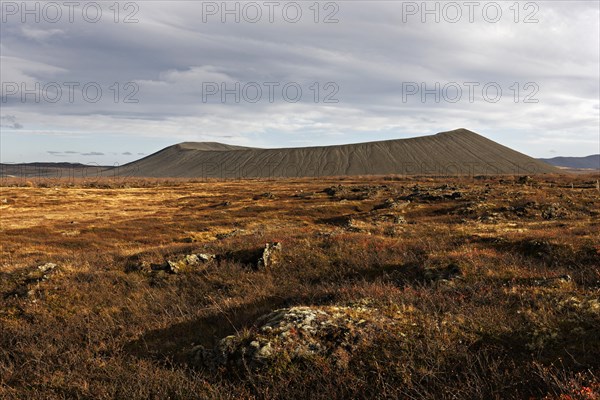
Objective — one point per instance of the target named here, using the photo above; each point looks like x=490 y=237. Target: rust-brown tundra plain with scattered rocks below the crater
x=366 y=287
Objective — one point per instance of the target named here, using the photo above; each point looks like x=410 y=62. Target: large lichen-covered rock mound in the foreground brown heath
x=296 y=333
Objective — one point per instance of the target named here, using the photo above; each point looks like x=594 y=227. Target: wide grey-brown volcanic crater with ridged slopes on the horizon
x=458 y=152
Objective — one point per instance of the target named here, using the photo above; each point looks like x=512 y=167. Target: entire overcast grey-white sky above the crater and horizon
x=106 y=82
